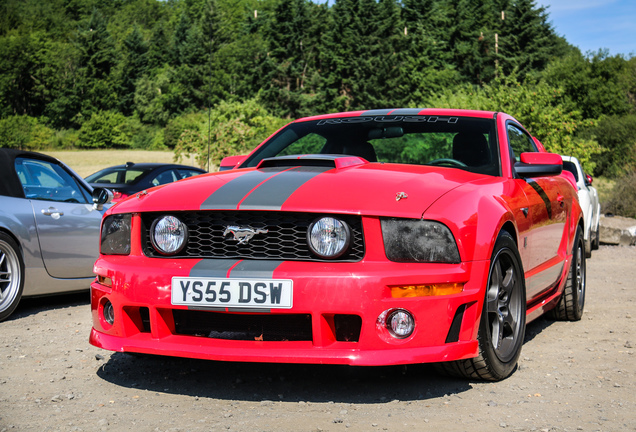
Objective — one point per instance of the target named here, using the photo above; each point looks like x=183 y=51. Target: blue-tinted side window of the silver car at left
x=47 y=181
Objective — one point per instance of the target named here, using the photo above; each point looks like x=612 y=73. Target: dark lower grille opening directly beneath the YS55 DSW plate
x=252 y=327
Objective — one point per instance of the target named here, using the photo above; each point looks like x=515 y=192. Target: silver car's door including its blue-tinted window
x=66 y=222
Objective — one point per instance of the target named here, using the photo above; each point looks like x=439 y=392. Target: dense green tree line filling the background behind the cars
x=69 y=62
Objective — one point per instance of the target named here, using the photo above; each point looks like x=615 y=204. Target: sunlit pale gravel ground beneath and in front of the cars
x=572 y=376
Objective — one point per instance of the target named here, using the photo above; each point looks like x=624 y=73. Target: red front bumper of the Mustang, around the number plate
x=139 y=288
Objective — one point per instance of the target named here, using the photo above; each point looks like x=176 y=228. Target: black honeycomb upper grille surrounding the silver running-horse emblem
x=286 y=238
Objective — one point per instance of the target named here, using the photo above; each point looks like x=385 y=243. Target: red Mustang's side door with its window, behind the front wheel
x=547 y=215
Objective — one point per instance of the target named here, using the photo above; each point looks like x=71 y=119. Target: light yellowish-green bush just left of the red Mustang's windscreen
x=235 y=128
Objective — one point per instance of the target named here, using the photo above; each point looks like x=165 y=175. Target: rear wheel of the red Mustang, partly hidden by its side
x=571 y=303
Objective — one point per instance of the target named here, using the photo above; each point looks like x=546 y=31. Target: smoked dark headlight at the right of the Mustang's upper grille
x=414 y=240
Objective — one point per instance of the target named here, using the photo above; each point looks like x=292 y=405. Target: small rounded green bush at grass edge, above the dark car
x=105 y=129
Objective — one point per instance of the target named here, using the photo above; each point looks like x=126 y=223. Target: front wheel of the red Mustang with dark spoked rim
x=503 y=320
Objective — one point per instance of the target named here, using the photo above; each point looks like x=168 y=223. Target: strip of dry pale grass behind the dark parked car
x=86 y=162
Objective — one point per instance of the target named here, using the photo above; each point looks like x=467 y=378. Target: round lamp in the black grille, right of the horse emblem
x=328 y=237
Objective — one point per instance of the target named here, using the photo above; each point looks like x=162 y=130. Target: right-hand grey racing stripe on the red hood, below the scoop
x=272 y=194
